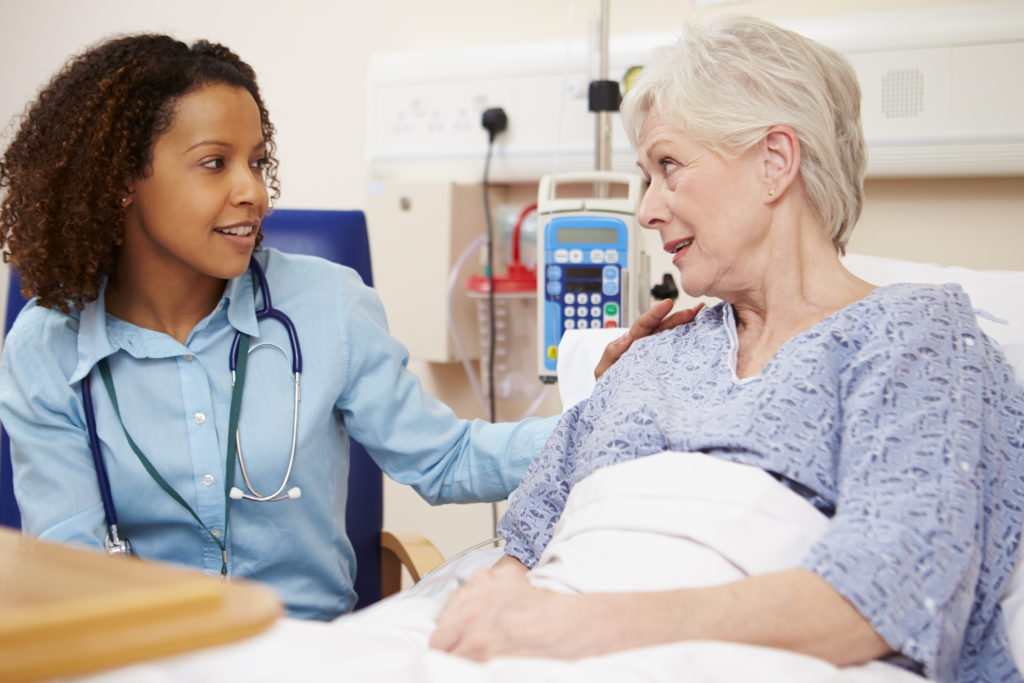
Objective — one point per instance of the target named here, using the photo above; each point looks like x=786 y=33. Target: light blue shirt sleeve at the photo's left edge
x=55 y=480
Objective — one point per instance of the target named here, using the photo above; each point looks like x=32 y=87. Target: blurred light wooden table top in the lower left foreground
x=66 y=611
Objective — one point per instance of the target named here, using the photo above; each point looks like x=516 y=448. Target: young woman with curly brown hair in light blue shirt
x=135 y=192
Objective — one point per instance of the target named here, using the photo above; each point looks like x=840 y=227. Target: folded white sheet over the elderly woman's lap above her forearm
x=675 y=521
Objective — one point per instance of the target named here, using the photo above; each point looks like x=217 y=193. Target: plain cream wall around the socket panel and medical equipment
x=313 y=60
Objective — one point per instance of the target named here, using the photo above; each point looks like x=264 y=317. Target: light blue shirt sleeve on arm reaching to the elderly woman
x=415 y=438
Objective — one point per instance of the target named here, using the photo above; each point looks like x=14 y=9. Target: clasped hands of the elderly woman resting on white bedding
x=499 y=613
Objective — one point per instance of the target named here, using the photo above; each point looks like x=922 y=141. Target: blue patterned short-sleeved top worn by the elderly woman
x=898 y=410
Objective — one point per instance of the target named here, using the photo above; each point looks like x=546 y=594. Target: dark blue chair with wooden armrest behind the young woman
x=339 y=237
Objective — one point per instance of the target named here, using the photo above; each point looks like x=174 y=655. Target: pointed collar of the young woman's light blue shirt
x=95 y=343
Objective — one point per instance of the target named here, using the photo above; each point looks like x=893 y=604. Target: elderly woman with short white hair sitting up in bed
x=887 y=408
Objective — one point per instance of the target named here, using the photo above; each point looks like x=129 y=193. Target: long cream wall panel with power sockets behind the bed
x=943 y=97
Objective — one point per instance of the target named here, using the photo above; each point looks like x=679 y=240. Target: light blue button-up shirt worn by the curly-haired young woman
x=175 y=401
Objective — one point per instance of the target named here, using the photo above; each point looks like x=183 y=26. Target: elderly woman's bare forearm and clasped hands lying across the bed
x=500 y=614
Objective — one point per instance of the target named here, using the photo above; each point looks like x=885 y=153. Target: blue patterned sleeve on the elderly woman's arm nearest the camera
x=905 y=546
